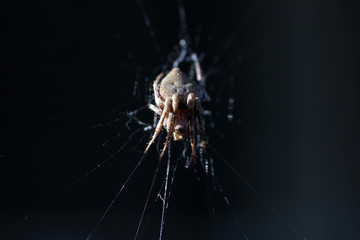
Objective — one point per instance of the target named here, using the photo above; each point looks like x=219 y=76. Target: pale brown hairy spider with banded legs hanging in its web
x=180 y=103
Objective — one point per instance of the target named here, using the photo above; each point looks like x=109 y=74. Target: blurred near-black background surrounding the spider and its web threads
x=69 y=66
